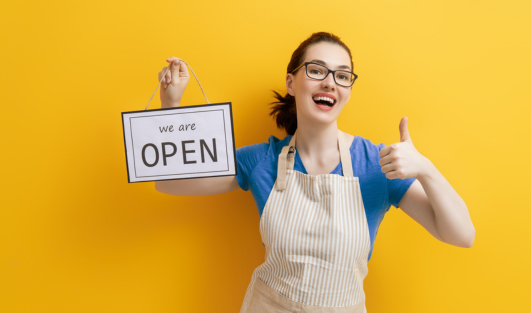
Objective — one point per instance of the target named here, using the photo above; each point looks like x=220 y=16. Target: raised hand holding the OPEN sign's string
x=173 y=83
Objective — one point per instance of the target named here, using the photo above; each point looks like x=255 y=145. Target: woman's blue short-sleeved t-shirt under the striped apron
x=257 y=171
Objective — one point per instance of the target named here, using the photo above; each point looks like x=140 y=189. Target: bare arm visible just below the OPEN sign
x=198 y=186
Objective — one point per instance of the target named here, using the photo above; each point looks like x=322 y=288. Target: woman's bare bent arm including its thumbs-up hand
x=431 y=200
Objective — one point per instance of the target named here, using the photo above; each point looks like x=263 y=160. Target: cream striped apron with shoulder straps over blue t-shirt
x=317 y=242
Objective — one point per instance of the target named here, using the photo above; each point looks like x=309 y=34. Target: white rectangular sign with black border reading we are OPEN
x=176 y=143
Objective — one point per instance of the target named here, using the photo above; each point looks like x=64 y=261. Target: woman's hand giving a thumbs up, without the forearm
x=402 y=160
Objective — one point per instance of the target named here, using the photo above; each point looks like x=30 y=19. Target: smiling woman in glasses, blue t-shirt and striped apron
x=317 y=227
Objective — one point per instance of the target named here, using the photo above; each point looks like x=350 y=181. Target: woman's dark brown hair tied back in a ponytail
x=284 y=109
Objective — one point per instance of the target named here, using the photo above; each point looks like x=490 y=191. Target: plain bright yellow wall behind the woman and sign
x=76 y=237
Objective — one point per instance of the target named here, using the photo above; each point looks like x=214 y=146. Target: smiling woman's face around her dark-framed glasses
x=306 y=90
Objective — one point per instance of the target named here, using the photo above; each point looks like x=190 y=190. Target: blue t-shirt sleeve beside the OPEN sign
x=247 y=158
